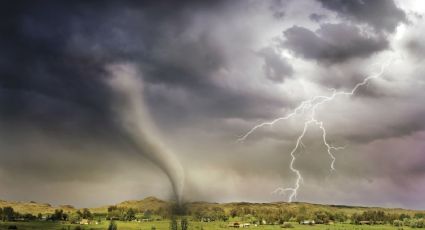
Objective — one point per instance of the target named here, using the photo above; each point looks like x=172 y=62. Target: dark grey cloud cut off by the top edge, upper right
x=383 y=15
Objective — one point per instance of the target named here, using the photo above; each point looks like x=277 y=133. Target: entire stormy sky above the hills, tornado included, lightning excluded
x=107 y=101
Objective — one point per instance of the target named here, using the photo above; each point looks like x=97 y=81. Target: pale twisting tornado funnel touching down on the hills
x=133 y=117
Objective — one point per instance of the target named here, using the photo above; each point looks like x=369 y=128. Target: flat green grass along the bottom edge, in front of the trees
x=164 y=225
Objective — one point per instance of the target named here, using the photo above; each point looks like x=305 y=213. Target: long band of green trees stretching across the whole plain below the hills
x=252 y=214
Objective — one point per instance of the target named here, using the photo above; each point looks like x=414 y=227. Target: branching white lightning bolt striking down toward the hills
x=309 y=107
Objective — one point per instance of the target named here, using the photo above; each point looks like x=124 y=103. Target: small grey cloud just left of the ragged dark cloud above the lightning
x=275 y=66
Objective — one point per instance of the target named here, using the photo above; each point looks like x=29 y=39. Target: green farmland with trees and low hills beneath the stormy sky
x=152 y=213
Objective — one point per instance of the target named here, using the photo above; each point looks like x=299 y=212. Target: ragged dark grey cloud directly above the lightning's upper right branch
x=332 y=43
